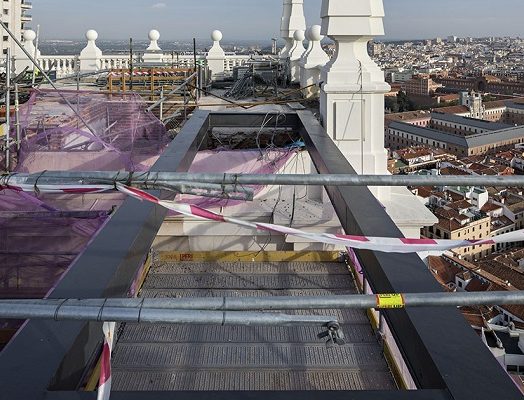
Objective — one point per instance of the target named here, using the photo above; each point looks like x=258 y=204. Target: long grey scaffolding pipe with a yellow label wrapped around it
x=283 y=303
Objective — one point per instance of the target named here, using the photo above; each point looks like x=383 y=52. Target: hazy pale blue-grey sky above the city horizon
x=260 y=19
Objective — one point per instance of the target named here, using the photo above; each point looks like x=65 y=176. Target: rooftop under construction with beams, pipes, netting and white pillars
x=244 y=240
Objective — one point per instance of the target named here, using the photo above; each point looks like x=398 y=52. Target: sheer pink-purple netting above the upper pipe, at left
x=126 y=136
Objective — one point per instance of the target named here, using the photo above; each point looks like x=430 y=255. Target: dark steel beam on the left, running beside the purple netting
x=47 y=354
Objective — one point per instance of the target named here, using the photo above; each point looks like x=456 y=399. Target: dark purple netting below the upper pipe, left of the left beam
x=36 y=248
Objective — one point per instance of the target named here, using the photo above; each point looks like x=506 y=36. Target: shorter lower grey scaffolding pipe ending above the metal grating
x=100 y=312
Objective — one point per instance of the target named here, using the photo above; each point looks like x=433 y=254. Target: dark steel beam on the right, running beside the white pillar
x=439 y=347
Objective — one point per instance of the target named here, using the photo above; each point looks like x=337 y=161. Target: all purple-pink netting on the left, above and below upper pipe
x=41 y=235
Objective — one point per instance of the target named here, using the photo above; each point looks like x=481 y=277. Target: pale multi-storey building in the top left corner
x=15 y=17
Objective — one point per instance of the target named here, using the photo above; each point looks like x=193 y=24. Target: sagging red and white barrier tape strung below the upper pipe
x=386 y=245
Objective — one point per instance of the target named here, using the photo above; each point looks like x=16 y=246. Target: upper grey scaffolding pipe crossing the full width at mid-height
x=283 y=180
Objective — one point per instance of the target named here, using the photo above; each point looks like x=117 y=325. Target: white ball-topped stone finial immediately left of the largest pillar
x=312 y=62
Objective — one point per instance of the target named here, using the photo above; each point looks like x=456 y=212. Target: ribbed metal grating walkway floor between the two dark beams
x=211 y=358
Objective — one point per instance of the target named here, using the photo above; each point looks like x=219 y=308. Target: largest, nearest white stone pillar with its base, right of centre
x=352 y=103
